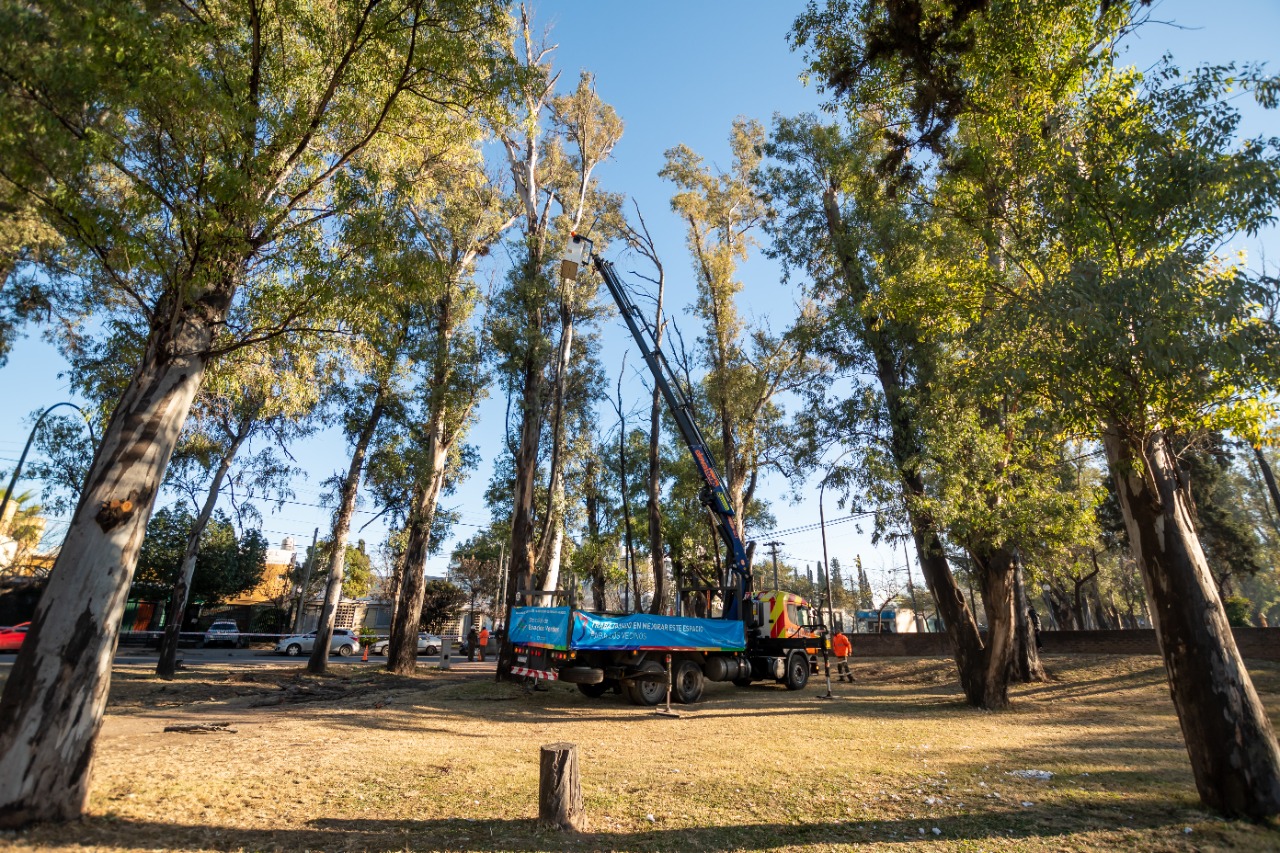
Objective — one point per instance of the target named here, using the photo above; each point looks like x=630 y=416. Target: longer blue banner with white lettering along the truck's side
x=646 y=632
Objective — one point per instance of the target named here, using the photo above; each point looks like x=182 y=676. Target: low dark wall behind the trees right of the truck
x=1259 y=644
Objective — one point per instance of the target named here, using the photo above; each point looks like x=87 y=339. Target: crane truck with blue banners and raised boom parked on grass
x=760 y=636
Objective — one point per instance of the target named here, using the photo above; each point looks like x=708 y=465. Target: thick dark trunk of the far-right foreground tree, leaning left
x=1229 y=740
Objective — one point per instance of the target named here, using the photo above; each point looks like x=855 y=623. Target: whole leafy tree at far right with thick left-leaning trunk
x=1165 y=336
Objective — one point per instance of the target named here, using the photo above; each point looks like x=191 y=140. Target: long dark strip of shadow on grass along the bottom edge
x=330 y=834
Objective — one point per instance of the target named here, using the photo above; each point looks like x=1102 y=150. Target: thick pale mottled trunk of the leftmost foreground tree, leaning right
x=53 y=703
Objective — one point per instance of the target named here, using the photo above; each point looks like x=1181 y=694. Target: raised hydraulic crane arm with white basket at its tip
x=712 y=495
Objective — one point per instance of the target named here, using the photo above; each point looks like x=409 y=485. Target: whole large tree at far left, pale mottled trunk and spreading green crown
x=177 y=149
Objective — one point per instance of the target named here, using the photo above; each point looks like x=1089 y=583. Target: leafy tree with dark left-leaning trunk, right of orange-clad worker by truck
x=858 y=241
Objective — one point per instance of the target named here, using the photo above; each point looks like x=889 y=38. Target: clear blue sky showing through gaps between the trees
x=680 y=74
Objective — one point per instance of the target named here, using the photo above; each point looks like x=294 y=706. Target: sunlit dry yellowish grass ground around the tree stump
x=367 y=761
